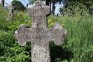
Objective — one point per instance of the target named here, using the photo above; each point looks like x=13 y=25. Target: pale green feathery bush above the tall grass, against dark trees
x=75 y=10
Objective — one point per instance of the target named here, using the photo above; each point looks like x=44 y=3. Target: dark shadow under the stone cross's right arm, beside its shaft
x=58 y=53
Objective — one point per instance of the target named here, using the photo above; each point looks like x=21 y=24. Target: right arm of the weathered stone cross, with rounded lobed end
x=57 y=34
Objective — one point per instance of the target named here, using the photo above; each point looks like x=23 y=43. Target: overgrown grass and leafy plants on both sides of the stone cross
x=77 y=47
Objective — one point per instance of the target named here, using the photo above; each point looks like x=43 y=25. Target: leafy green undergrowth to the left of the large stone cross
x=10 y=51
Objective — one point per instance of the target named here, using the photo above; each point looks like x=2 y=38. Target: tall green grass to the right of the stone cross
x=79 y=39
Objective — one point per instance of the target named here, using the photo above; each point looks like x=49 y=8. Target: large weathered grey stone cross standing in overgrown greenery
x=39 y=35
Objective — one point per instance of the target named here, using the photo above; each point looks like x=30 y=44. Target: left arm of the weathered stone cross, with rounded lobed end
x=22 y=35
